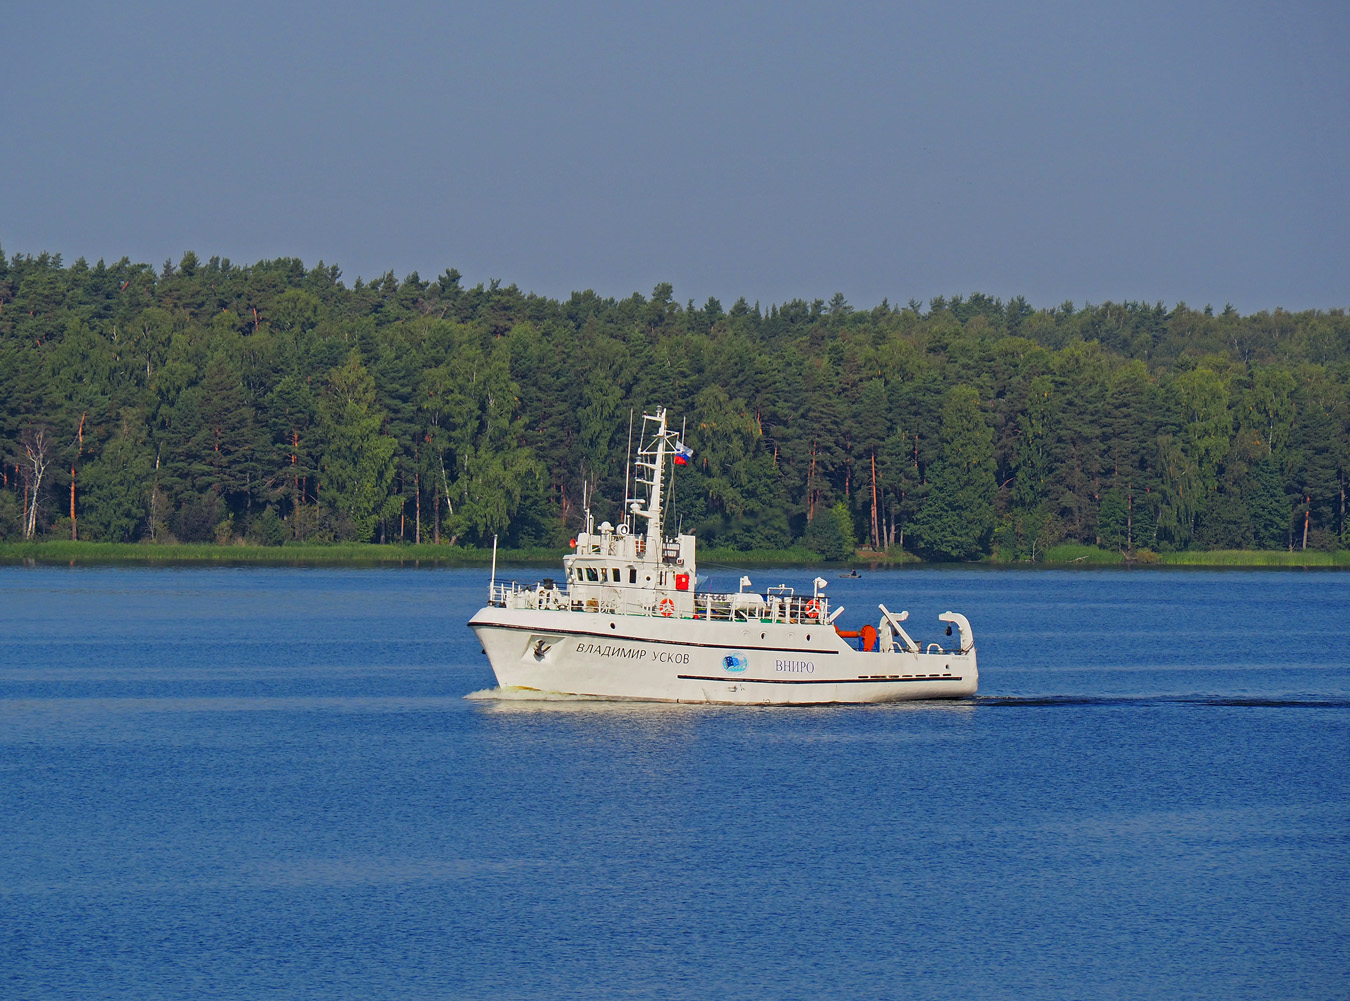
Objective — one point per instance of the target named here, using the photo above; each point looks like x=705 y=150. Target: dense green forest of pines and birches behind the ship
x=271 y=403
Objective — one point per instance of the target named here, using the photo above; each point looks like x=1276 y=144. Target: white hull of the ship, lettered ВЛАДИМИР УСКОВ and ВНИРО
x=700 y=661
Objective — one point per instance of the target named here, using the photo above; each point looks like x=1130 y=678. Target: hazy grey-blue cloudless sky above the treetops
x=1094 y=152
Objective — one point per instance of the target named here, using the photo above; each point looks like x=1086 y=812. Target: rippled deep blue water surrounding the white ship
x=245 y=783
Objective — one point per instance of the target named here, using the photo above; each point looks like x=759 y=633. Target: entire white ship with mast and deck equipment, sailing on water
x=628 y=622
